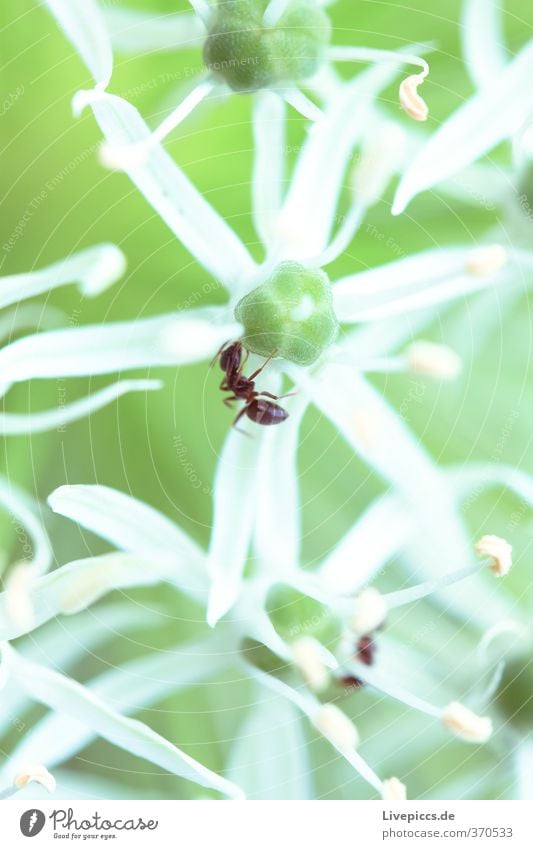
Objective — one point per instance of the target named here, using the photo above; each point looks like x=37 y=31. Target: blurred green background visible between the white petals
x=133 y=444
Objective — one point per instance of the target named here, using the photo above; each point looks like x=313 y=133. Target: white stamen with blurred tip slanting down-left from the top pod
x=124 y=157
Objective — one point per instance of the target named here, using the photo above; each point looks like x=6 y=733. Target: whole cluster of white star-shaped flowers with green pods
x=329 y=337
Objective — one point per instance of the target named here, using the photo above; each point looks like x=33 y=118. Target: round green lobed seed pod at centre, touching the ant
x=292 y=314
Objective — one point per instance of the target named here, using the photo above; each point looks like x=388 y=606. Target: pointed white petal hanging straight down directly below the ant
x=236 y=486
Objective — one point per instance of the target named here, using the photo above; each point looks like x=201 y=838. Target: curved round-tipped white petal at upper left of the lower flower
x=135 y=527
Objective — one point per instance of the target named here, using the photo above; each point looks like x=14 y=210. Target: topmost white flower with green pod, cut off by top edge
x=248 y=46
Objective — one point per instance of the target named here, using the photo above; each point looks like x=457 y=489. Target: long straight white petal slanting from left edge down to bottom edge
x=68 y=697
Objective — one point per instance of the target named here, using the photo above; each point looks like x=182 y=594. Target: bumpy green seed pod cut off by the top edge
x=248 y=55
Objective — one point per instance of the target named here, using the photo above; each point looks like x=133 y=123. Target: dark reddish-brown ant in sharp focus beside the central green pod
x=257 y=408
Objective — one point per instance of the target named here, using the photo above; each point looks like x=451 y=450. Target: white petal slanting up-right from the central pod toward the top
x=307 y=216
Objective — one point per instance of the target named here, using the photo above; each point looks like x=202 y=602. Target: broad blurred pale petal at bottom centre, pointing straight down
x=269 y=758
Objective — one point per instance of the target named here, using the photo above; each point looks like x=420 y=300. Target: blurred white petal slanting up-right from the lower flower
x=366 y=548
